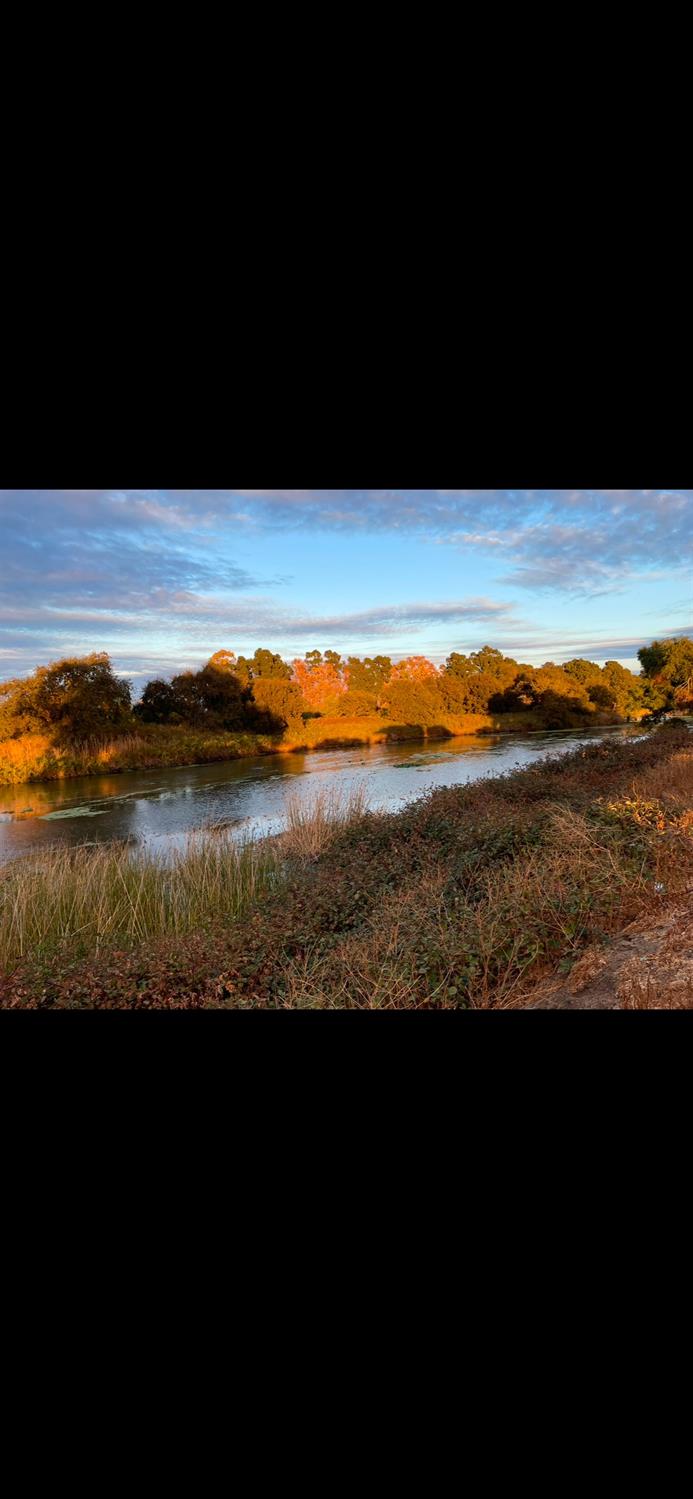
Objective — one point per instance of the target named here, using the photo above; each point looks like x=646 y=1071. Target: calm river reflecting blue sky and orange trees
x=161 y=807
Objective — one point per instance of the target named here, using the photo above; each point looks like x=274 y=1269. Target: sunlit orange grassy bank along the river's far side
x=35 y=759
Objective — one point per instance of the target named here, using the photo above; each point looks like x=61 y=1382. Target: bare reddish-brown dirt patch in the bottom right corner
x=649 y=968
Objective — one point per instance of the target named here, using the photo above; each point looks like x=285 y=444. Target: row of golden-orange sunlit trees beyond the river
x=82 y=698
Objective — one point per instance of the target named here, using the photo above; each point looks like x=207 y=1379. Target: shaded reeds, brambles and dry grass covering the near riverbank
x=469 y=899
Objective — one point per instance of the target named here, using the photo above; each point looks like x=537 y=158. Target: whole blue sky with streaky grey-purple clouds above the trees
x=164 y=578
